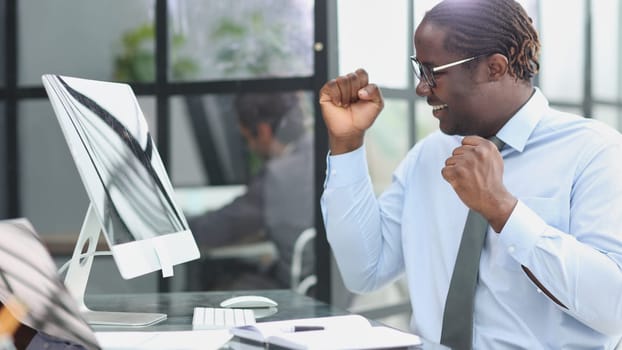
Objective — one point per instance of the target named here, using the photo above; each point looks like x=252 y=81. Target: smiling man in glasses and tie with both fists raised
x=550 y=269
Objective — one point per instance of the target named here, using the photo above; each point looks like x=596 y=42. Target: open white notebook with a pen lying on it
x=326 y=333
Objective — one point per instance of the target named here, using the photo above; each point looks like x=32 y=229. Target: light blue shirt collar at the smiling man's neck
x=517 y=130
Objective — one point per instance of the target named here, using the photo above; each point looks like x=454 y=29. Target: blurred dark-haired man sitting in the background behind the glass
x=279 y=199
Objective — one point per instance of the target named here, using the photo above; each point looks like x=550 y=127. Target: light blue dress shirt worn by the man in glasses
x=566 y=172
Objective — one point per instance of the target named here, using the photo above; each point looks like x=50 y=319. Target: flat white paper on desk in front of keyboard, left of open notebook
x=182 y=340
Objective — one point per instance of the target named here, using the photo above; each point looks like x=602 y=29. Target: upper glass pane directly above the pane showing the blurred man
x=237 y=39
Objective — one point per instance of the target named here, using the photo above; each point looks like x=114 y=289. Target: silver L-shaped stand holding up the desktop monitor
x=78 y=275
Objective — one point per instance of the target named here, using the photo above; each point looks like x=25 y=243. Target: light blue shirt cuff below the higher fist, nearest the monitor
x=346 y=169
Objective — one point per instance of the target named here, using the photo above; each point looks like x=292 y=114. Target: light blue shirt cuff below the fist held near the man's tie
x=521 y=232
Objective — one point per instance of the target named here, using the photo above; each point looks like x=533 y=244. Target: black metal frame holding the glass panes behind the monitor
x=163 y=90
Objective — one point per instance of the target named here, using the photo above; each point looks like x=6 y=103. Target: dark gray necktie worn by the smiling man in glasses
x=457 y=332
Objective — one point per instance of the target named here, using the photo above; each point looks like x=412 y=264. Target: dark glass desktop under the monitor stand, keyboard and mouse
x=180 y=305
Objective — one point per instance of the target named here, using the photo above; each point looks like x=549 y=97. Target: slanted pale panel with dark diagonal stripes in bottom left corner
x=27 y=272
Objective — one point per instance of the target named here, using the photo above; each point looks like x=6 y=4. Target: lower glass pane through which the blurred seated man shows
x=243 y=169
